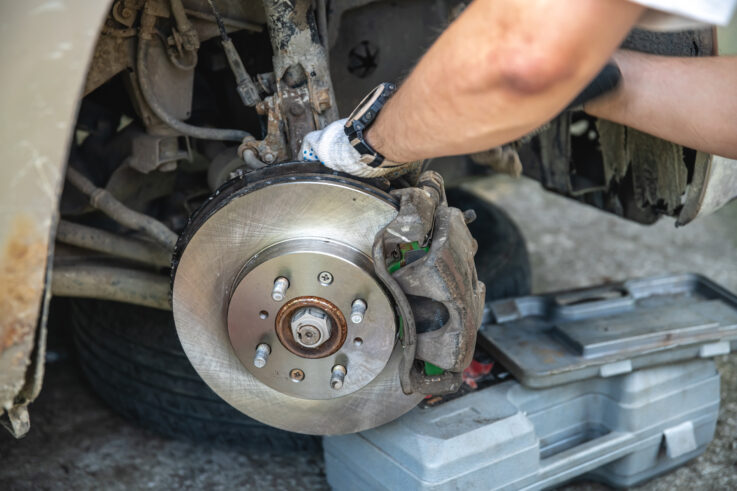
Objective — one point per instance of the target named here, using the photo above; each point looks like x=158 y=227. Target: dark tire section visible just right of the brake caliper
x=502 y=261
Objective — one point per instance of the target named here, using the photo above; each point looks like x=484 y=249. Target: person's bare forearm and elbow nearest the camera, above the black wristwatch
x=502 y=69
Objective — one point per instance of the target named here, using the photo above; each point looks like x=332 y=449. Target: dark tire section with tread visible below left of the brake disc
x=132 y=357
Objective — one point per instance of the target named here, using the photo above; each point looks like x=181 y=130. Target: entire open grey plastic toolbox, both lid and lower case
x=623 y=392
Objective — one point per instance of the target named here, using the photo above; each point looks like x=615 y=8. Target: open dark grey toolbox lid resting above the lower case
x=609 y=330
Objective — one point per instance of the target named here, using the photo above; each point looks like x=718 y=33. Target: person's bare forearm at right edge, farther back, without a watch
x=689 y=101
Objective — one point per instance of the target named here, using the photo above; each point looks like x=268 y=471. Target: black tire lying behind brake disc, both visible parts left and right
x=132 y=357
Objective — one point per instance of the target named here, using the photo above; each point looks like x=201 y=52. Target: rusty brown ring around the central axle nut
x=284 y=330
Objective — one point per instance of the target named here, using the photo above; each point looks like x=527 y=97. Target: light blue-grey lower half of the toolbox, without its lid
x=622 y=430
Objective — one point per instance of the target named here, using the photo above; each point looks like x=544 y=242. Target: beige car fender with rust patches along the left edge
x=47 y=47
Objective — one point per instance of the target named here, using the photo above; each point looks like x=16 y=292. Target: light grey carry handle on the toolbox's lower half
x=587 y=456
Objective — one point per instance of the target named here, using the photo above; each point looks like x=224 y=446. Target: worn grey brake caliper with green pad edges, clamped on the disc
x=425 y=257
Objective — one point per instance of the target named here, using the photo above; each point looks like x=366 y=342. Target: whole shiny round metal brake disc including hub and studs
x=297 y=358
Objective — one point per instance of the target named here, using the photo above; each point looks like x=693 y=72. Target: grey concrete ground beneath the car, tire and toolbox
x=76 y=441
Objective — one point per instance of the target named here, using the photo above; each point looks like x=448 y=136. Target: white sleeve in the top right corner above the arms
x=673 y=15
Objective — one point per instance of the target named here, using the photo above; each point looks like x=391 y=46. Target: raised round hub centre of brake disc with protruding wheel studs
x=291 y=319
